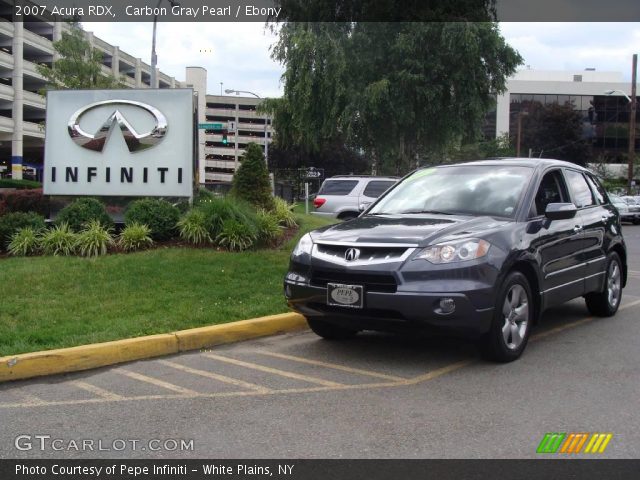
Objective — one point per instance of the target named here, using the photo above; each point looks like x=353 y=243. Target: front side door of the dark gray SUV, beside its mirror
x=558 y=243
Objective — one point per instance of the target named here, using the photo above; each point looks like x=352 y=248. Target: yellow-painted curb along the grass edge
x=84 y=357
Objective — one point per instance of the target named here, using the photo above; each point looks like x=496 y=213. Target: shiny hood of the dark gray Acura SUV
x=421 y=230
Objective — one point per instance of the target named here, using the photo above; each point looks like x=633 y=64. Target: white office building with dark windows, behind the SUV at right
x=605 y=117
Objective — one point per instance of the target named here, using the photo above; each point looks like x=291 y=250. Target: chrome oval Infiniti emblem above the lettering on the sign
x=135 y=141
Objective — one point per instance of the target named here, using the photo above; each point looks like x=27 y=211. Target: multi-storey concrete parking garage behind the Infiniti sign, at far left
x=23 y=45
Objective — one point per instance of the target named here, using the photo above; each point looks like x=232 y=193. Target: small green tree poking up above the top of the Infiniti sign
x=79 y=65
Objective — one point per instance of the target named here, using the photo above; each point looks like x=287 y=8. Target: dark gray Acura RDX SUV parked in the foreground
x=479 y=248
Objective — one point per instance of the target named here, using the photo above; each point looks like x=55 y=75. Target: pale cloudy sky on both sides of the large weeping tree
x=239 y=54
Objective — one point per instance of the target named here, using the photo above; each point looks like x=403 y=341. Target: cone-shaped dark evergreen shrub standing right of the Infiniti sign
x=251 y=181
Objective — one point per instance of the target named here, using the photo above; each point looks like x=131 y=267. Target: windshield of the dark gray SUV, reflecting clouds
x=492 y=190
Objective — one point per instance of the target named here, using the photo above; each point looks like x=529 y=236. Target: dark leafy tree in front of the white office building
x=555 y=131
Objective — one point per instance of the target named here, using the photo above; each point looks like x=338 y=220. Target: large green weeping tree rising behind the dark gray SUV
x=392 y=90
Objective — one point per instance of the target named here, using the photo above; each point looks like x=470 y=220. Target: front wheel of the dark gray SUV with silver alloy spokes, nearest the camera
x=512 y=320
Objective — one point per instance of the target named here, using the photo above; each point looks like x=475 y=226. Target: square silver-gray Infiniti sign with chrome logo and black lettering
x=120 y=143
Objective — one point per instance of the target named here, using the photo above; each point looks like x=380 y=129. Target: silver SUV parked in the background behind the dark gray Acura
x=345 y=196
